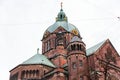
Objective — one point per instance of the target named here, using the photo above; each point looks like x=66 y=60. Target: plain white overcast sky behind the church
x=23 y=22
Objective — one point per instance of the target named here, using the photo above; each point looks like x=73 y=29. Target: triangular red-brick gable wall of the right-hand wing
x=107 y=52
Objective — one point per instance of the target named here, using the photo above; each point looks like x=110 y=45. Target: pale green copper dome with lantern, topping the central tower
x=62 y=21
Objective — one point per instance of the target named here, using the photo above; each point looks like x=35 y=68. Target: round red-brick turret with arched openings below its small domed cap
x=77 y=60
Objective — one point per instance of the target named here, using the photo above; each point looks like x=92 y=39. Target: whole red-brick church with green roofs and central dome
x=65 y=57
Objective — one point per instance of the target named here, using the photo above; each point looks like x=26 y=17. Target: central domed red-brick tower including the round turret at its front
x=63 y=45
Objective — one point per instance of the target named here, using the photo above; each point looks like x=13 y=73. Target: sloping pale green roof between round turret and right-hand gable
x=94 y=48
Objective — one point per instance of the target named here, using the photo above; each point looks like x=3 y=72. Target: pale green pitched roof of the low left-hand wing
x=39 y=59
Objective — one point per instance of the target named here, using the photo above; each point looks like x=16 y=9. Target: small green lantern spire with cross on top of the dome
x=61 y=15
